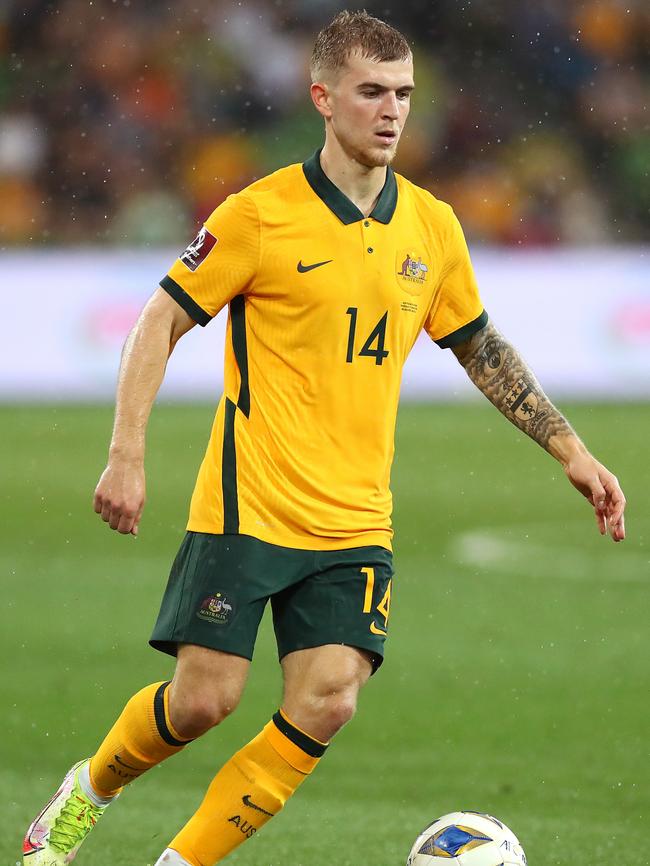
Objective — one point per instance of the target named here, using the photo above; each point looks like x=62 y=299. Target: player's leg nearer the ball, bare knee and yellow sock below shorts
x=320 y=694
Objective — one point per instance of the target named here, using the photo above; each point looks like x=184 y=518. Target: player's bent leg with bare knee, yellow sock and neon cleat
x=157 y=722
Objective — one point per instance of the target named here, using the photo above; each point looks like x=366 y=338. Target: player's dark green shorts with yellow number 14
x=219 y=586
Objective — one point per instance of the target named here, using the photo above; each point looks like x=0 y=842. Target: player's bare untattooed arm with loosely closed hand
x=120 y=493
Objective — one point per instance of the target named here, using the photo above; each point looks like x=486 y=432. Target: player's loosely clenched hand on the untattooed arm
x=120 y=496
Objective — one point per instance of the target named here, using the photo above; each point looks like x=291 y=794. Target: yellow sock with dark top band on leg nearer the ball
x=248 y=791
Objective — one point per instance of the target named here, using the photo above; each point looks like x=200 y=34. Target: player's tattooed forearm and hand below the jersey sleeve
x=499 y=371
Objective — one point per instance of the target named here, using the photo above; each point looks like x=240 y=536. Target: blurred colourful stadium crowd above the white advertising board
x=127 y=122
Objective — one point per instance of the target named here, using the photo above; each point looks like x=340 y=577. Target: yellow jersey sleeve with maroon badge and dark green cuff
x=221 y=261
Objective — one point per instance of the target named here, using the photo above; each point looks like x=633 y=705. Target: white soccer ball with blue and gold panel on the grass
x=466 y=839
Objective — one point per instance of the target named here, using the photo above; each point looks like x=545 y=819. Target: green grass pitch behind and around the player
x=516 y=679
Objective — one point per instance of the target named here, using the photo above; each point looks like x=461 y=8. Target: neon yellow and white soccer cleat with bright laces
x=56 y=834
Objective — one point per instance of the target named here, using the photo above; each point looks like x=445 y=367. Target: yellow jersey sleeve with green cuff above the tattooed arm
x=456 y=311
